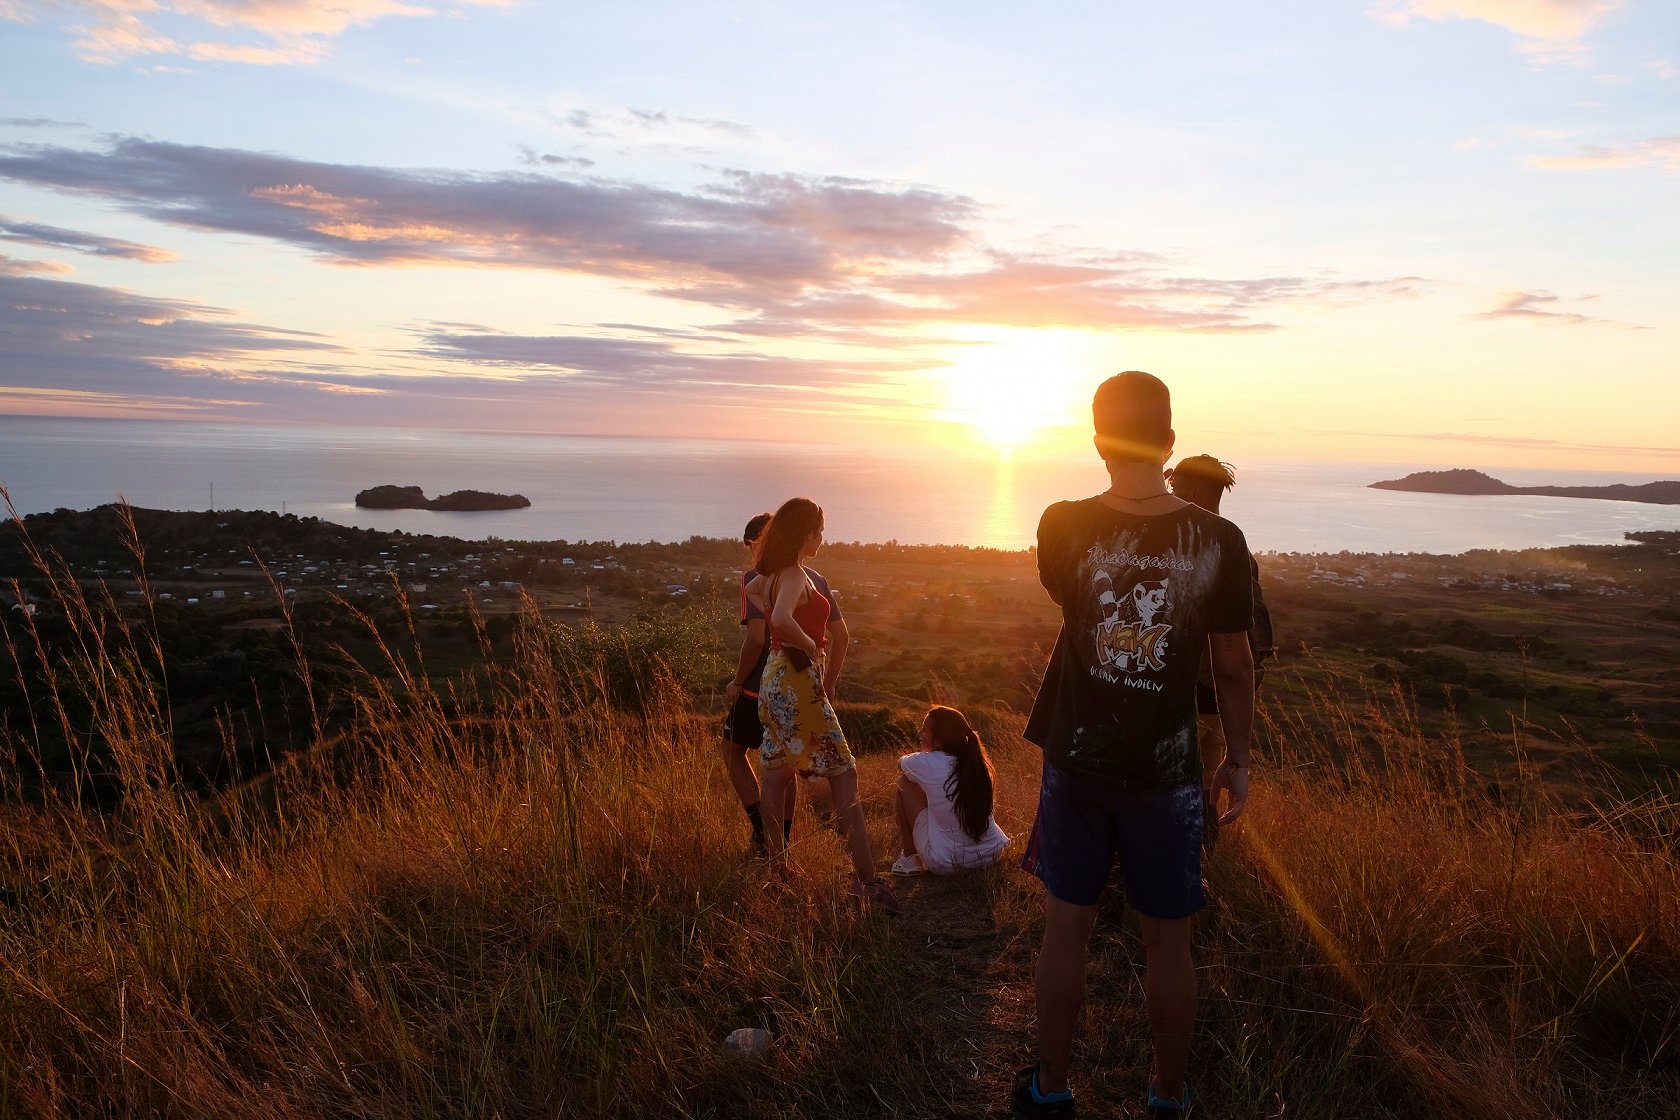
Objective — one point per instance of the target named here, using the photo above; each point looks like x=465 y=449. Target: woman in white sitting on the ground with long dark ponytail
x=945 y=802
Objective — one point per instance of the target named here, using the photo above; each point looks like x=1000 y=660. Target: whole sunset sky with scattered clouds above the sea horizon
x=1405 y=231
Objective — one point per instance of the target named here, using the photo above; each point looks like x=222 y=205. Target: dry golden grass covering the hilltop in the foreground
x=522 y=901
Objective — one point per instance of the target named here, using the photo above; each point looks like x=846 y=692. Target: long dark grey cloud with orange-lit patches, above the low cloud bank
x=750 y=231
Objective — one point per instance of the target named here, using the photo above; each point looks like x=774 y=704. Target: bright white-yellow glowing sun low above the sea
x=1014 y=387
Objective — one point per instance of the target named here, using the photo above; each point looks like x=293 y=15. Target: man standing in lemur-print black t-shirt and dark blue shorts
x=1147 y=582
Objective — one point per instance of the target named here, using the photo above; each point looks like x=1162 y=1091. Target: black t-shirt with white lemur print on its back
x=1140 y=597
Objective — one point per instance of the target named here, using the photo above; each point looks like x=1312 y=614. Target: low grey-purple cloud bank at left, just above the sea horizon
x=70 y=347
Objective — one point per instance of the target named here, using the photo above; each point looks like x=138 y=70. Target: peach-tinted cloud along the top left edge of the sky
x=261 y=33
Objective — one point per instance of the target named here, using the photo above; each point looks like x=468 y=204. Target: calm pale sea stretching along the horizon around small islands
x=633 y=489
